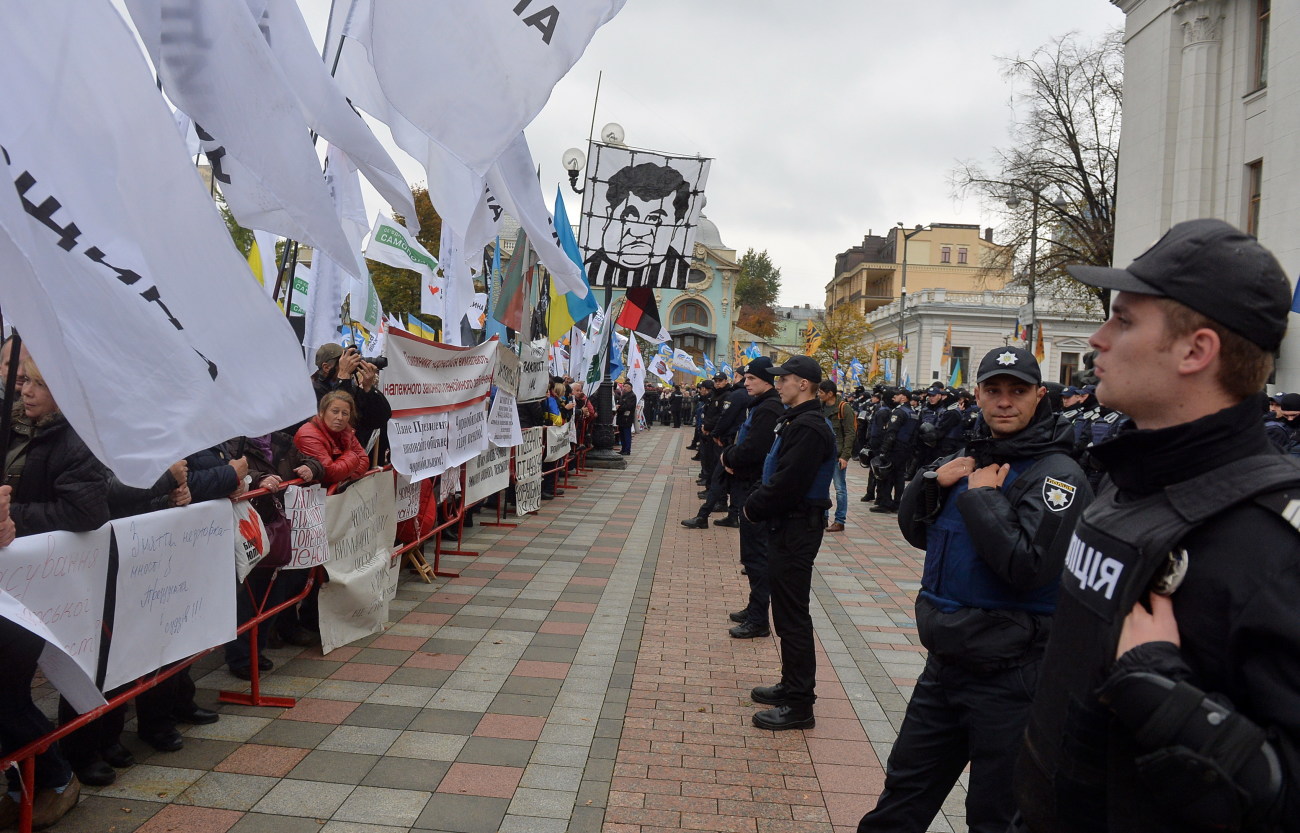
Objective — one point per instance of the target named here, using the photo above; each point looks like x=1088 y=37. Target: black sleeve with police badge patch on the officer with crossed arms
x=1026 y=544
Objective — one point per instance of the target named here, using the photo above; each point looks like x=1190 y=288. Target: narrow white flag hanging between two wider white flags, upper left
x=326 y=109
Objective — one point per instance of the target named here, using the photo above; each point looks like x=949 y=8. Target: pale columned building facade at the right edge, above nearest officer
x=1212 y=128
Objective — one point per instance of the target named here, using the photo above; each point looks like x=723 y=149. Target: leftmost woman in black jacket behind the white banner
x=58 y=485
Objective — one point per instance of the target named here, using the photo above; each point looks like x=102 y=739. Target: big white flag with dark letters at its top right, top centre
x=495 y=64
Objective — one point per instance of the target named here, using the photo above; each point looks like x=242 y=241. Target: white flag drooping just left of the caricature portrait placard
x=514 y=181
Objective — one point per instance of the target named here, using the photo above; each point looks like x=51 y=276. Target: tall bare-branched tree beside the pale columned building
x=1065 y=146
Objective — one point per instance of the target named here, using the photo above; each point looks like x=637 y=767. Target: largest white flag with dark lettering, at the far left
x=118 y=268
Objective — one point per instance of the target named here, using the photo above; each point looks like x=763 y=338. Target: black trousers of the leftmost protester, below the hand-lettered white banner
x=21 y=722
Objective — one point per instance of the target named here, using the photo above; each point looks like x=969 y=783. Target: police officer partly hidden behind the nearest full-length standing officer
x=744 y=463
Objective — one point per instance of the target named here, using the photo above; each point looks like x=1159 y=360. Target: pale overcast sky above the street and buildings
x=826 y=119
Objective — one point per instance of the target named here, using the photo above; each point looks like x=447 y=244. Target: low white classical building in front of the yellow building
x=981 y=322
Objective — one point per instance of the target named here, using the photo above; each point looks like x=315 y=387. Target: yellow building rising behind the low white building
x=942 y=257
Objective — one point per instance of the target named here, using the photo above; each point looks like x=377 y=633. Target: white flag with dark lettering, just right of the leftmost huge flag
x=218 y=68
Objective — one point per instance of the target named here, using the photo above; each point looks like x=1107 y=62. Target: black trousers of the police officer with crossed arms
x=956 y=717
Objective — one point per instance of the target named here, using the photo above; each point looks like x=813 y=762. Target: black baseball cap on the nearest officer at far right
x=1217 y=271
